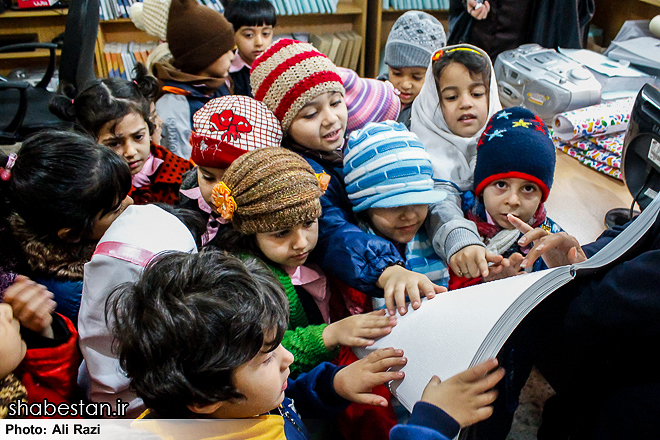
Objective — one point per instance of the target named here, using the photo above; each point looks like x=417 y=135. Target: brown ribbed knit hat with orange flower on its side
x=268 y=190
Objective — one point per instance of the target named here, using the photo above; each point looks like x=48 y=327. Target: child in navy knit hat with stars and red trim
x=513 y=175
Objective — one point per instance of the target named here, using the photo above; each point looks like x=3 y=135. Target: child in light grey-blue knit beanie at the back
x=414 y=37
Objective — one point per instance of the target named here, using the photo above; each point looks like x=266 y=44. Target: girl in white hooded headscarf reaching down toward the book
x=458 y=97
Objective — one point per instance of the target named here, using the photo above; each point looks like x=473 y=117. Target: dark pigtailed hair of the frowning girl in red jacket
x=106 y=100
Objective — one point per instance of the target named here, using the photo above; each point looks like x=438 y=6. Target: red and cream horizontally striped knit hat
x=289 y=75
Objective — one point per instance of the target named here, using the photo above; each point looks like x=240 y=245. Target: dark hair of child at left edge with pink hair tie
x=64 y=180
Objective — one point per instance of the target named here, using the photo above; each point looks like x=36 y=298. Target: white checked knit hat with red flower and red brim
x=227 y=127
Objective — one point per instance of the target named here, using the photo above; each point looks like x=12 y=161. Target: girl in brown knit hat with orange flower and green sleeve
x=271 y=196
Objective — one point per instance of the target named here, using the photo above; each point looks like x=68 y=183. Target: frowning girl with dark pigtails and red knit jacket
x=118 y=114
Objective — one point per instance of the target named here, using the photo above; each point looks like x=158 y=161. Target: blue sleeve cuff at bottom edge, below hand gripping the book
x=427 y=422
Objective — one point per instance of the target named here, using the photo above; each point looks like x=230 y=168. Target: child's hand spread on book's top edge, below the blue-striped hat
x=397 y=282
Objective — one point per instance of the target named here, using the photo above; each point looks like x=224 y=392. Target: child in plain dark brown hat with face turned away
x=202 y=43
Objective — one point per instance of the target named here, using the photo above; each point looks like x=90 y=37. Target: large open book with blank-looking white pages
x=461 y=328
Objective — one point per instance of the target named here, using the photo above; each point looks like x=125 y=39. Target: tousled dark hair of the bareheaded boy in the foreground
x=189 y=322
